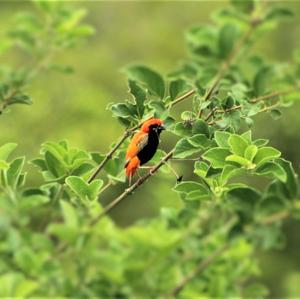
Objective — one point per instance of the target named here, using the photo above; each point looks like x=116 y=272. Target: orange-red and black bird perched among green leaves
x=143 y=146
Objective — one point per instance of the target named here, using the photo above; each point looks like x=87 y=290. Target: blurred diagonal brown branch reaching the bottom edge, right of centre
x=199 y=268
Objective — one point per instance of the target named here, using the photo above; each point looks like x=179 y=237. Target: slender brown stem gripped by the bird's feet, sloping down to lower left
x=128 y=191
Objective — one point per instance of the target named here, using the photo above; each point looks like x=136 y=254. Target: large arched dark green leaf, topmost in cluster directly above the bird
x=148 y=78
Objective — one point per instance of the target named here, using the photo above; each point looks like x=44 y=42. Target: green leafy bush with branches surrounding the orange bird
x=57 y=239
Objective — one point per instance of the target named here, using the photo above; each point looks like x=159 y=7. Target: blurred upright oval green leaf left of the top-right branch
x=226 y=40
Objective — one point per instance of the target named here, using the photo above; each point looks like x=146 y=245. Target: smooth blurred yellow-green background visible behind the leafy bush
x=73 y=107
